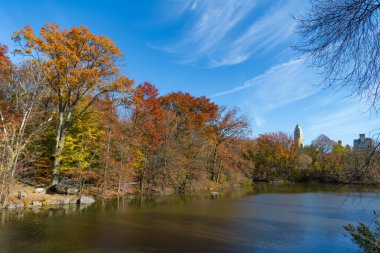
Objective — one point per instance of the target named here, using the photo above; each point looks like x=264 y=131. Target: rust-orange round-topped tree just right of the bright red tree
x=189 y=118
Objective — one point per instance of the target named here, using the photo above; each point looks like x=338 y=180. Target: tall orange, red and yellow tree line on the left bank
x=67 y=111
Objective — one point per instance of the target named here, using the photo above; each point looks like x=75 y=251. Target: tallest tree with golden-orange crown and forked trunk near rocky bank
x=77 y=64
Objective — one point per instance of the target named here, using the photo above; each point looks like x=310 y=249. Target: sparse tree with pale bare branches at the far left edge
x=21 y=116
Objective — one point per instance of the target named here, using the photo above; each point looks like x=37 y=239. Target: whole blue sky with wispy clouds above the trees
x=235 y=52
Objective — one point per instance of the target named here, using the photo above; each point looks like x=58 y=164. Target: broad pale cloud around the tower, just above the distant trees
x=289 y=93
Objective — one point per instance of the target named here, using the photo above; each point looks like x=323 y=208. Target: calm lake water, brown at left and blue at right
x=287 y=218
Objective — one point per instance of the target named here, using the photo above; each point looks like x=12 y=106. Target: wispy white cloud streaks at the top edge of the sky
x=231 y=31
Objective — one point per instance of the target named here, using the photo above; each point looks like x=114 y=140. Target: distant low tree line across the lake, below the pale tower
x=276 y=156
